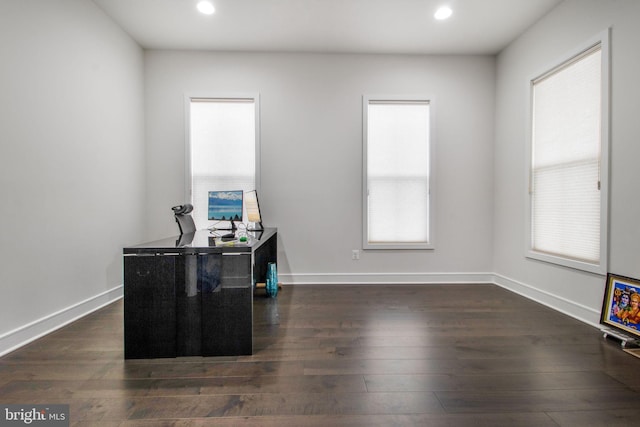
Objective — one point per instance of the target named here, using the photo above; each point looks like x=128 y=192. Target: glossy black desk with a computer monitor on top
x=187 y=296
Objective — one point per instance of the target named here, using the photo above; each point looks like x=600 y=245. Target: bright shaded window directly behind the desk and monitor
x=223 y=149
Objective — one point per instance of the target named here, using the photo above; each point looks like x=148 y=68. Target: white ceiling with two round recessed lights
x=367 y=26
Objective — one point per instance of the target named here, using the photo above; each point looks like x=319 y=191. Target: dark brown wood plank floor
x=450 y=355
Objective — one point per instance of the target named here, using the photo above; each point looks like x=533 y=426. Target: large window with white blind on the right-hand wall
x=568 y=168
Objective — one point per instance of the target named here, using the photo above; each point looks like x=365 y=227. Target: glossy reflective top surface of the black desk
x=201 y=241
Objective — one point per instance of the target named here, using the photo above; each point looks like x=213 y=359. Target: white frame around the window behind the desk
x=188 y=98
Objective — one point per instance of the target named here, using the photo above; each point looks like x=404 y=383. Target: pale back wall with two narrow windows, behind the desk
x=311 y=136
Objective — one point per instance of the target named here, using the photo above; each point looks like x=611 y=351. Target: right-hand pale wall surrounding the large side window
x=566 y=27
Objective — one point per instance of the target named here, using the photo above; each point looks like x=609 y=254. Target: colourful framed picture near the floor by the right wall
x=621 y=306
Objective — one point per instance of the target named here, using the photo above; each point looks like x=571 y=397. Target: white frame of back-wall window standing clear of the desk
x=429 y=245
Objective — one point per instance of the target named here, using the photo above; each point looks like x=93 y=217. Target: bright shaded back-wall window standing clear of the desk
x=397 y=158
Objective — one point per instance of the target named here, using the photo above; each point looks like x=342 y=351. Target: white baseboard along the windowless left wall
x=23 y=335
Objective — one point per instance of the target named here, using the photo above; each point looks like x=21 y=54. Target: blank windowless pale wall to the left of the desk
x=71 y=162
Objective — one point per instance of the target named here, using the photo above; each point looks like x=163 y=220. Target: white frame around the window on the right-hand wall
x=600 y=267
